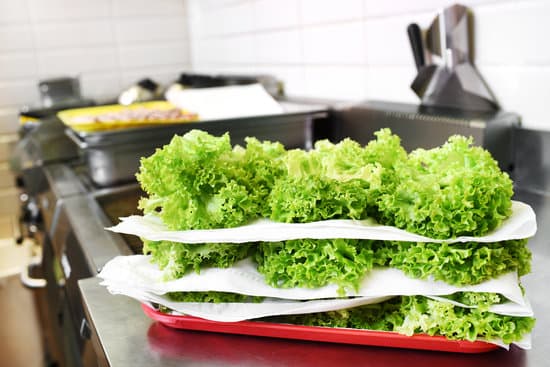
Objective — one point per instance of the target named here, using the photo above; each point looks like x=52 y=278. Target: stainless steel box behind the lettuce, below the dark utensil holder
x=427 y=127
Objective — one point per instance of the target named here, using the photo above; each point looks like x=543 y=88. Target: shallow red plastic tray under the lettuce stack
x=322 y=334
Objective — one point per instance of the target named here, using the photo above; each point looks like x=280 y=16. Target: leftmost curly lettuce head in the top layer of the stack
x=195 y=182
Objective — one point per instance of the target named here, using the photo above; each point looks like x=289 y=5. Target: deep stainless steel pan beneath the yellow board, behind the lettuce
x=113 y=156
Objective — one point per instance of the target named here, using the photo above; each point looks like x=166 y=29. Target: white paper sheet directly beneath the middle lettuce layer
x=135 y=274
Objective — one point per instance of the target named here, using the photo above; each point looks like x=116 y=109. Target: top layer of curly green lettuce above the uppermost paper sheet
x=199 y=181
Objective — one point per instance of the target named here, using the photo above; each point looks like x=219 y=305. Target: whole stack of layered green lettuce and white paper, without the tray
x=343 y=235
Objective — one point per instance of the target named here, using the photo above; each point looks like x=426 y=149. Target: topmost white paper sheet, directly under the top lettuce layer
x=521 y=224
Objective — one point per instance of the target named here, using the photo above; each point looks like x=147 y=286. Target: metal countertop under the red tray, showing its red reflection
x=124 y=336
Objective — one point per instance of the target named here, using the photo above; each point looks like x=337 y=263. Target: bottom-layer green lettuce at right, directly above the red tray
x=417 y=314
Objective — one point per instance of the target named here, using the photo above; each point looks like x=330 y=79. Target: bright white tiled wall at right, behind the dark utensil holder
x=358 y=49
